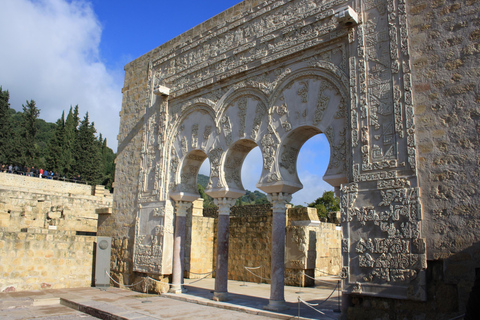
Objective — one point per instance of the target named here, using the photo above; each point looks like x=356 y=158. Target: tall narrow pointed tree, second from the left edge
x=29 y=132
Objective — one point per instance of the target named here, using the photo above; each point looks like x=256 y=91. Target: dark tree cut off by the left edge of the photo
x=5 y=127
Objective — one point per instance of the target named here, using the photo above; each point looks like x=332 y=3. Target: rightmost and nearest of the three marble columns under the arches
x=277 y=290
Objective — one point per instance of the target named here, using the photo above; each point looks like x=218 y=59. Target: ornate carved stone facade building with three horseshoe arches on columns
x=273 y=74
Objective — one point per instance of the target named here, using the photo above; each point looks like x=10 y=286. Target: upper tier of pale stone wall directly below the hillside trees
x=37 y=204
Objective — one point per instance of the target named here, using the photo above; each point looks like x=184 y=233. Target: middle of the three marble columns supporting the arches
x=221 y=275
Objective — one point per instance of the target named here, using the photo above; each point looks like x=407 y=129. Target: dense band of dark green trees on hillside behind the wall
x=69 y=148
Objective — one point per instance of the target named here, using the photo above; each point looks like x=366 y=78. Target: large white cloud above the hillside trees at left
x=50 y=53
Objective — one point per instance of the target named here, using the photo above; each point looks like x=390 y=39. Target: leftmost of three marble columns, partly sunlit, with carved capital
x=181 y=208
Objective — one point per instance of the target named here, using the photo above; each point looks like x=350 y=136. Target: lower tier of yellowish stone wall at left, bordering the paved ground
x=49 y=260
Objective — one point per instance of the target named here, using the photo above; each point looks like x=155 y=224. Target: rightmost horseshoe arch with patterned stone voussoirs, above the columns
x=308 y=102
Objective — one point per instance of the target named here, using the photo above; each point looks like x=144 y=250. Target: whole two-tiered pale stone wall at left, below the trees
x=47 y=232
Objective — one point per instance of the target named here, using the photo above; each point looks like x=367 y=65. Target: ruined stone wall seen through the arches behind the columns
x=313 y=247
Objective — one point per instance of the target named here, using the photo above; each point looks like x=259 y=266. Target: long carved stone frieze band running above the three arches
x=224 y=52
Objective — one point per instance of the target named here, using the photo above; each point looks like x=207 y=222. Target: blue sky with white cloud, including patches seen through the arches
x=62 y=53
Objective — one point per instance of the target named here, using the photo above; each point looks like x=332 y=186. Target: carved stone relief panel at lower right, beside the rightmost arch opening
x=391 y=255
